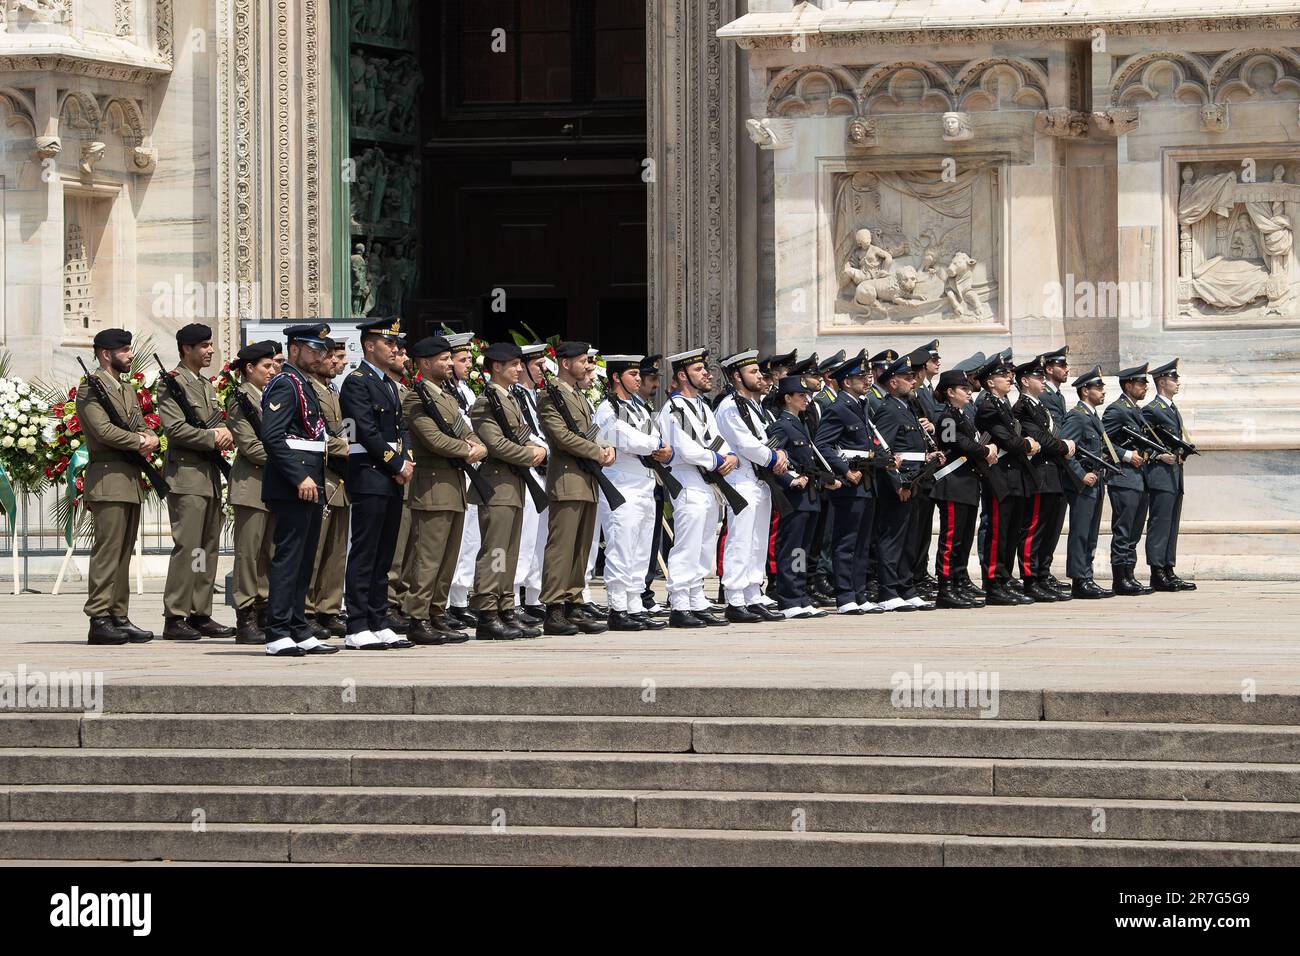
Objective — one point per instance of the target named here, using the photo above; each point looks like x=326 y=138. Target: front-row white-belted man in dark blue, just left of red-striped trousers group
x=896 y=508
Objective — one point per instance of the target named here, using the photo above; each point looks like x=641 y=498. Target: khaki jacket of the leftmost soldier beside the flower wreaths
x=109 y=477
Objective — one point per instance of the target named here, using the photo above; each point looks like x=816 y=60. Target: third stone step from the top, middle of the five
x=1116 y=780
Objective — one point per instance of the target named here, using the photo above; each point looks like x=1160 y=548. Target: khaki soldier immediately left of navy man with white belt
x=254 y=524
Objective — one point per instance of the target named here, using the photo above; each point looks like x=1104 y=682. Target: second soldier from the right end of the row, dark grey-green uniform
x=1128 y=492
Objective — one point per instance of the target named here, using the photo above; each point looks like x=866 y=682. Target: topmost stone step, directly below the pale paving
x=638 y=700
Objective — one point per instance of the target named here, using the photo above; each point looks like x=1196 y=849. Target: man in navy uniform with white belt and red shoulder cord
x=293 y=488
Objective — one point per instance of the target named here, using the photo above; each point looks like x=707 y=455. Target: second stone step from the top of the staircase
x=775 y=736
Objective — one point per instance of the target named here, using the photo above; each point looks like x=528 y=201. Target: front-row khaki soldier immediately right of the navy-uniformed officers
x=437 y=494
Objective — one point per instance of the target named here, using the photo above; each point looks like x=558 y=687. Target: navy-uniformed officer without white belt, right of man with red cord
x=380 y=464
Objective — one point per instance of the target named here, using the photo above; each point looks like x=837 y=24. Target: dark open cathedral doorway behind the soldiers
x=534 y=136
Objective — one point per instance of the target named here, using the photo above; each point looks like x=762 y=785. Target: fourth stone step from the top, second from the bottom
x=985 y=816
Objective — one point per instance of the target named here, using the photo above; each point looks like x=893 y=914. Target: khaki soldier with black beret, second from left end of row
x=194 y=505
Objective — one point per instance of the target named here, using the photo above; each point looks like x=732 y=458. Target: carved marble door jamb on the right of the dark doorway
x=691 y=109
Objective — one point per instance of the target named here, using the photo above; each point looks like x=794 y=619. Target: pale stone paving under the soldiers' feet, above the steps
x=1210 y=641
